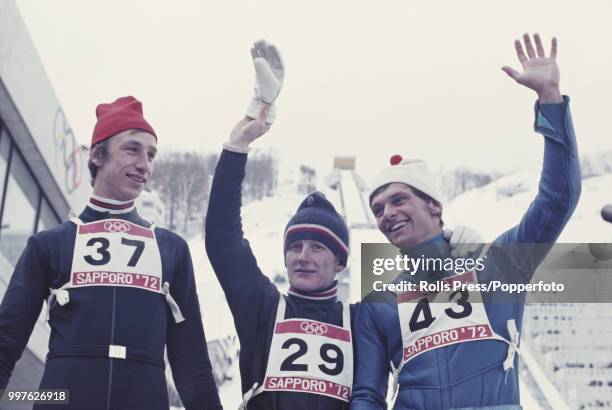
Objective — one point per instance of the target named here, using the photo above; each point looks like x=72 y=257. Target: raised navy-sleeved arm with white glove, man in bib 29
x=246 y=288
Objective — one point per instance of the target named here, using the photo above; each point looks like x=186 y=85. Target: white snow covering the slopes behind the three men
x=488 y=209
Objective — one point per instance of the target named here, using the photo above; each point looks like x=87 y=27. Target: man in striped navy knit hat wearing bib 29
x=295 y=350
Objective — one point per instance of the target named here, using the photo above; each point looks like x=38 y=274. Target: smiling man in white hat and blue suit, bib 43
x=459 y=354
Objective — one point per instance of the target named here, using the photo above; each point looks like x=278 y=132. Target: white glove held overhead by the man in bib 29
x=269 y=74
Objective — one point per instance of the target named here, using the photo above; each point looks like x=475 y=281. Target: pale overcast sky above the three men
x=363 y=78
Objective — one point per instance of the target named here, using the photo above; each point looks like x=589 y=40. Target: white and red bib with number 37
x=115 y=252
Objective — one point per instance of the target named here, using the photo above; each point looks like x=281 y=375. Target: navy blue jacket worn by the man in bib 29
x=251 y=296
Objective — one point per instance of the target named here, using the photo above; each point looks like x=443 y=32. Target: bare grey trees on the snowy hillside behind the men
x=182 y=181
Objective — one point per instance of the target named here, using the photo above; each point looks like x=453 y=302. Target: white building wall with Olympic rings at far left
x=37 y=115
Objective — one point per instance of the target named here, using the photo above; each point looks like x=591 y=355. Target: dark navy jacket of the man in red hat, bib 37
x=97 y=317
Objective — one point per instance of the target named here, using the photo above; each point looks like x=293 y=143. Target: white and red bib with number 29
x=309 y=356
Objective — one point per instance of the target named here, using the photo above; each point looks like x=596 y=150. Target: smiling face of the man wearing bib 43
x=404 y=218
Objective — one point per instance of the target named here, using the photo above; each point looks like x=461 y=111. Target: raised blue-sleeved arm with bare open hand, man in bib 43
x=560 y=180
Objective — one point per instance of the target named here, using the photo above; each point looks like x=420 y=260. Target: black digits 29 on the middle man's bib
x=331 y=354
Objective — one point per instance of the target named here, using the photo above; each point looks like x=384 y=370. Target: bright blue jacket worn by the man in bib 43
x=471 y=374
